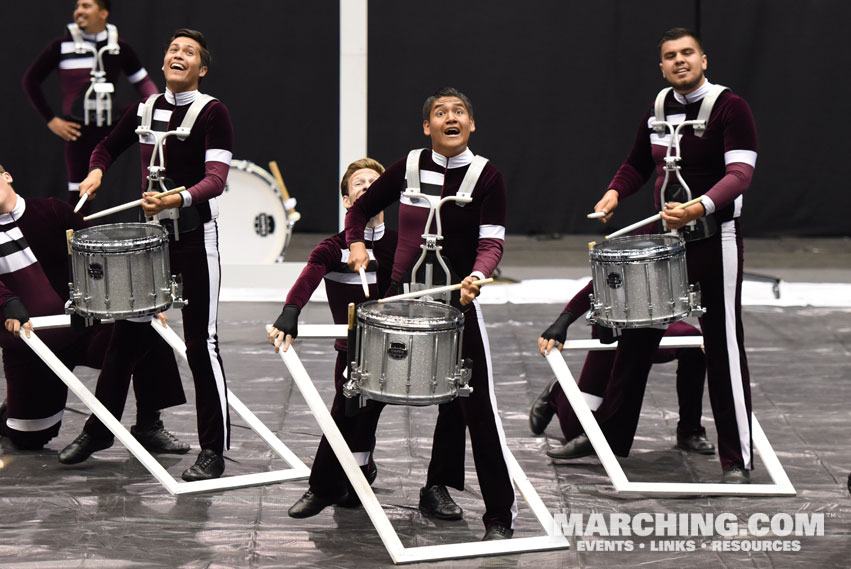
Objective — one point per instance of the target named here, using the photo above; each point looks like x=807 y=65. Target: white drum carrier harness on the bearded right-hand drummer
x=678 y=190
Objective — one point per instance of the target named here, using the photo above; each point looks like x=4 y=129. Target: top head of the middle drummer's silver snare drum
x=410 y=315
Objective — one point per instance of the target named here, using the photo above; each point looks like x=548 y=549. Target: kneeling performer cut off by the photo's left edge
x=34 y=282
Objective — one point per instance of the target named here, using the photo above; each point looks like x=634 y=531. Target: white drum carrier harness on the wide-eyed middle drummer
x=432 y=247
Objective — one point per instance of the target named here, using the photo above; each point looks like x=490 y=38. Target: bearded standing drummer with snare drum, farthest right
x=717 y=162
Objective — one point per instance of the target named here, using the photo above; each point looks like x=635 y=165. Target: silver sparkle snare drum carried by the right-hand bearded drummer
x=641 y=281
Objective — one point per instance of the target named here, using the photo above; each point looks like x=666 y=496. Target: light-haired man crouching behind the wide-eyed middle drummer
x=327 y=262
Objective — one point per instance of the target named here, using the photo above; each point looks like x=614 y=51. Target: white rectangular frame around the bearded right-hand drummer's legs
x=781 y=485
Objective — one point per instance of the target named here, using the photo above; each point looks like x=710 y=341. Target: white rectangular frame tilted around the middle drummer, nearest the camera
x=398 y=552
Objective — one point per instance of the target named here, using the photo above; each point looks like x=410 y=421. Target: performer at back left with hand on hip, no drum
x=89 y=34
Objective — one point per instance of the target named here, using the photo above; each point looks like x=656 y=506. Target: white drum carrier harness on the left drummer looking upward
x=156 y=169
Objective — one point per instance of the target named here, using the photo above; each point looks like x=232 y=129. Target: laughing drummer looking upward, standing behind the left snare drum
x=198 y=159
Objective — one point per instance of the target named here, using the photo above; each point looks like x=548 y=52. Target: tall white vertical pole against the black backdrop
x=353 y=34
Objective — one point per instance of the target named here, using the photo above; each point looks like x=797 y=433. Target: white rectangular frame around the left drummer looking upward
x=297 y=471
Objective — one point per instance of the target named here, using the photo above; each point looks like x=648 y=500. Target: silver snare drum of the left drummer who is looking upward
x=120 y=270
